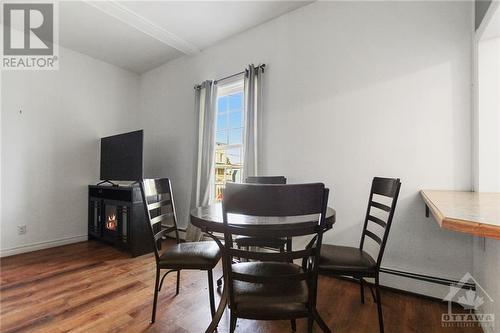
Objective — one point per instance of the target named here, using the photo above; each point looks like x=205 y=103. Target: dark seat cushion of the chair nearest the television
x=193 y=255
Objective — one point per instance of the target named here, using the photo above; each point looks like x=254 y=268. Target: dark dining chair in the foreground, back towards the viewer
x=268 y=285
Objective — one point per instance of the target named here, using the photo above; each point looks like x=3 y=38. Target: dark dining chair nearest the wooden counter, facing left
x=356 y=262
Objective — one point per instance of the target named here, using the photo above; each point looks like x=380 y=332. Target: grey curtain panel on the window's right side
x=253 y=109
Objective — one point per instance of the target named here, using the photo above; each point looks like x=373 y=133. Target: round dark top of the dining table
x=209 y=218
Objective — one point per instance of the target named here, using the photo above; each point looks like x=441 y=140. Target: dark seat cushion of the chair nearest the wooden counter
x=336 y=258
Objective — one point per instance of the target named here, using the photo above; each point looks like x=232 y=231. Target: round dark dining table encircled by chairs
x=209 y=220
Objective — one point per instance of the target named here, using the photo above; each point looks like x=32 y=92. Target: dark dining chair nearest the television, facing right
x=162 y=220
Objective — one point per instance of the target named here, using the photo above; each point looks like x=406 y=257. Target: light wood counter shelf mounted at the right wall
x=474 y=213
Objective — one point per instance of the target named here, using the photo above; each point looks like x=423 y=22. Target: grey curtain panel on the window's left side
x=205 y=107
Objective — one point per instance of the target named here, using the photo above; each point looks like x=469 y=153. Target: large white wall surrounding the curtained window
x=353 y=90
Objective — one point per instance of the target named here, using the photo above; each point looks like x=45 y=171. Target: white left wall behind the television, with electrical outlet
x=50 y=151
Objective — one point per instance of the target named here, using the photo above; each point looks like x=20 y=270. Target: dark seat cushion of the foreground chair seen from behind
x=270 y=300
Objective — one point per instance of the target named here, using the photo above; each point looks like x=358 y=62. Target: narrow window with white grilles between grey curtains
x=230 y=124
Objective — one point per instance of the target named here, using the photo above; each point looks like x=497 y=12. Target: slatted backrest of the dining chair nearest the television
x=158 y=197
